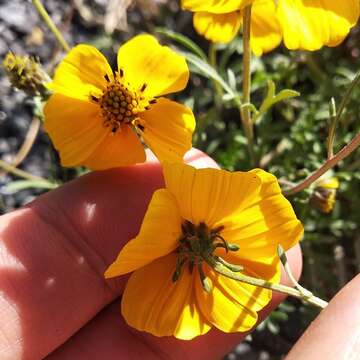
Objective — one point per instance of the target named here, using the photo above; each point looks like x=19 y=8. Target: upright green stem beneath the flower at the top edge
x=246 y=86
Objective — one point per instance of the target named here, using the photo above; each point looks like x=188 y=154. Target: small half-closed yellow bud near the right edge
x=324 y=195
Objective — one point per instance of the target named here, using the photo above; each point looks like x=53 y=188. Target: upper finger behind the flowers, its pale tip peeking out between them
x=53 y=254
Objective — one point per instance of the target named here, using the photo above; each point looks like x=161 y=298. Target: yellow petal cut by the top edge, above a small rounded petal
x=215 y=6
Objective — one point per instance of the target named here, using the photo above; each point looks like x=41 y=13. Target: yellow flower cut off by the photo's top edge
x=306 y=25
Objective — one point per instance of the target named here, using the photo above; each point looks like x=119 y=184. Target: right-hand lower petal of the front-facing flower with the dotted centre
x=168 y=128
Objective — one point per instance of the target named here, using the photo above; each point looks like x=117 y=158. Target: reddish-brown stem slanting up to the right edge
x=330 y=163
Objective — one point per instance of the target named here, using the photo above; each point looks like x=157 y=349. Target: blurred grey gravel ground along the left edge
x=19 y=24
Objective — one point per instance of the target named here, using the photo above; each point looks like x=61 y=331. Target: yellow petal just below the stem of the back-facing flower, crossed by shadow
x=230 y=306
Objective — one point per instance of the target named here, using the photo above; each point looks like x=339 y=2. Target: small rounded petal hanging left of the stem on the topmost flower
x=218 y=28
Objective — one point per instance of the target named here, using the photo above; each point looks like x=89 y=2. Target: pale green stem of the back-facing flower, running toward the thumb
x=310 y=298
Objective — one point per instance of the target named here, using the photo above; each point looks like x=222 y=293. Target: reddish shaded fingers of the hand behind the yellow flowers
x=54 y=301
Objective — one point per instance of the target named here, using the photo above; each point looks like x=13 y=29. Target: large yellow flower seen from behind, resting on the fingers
x=173 y=290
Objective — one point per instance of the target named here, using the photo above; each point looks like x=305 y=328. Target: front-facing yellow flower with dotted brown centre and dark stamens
x=95 y=113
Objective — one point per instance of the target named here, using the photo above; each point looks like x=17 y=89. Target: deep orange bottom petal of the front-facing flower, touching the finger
x=122 y=148
